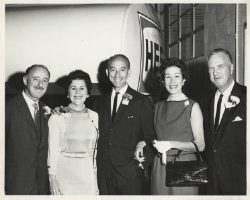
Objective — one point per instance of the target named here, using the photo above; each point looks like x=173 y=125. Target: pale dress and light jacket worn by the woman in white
x=72 y=147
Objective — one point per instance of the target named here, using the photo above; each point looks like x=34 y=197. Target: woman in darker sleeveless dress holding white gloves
x=178 y=122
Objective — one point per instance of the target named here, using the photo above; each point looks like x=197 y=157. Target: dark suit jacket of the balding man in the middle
x=118 y=140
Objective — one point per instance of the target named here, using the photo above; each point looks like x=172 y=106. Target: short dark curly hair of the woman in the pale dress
x=79 y=75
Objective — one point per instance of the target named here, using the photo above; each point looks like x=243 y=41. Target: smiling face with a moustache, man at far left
x=36 y=83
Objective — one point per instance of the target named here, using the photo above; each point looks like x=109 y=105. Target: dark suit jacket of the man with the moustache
x=26 y=149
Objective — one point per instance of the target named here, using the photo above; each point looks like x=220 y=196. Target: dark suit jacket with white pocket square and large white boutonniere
x=226 y=146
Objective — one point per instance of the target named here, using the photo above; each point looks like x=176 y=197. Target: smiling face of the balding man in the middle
x=118 y=73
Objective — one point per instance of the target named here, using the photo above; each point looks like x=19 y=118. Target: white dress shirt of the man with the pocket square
x=225 y=97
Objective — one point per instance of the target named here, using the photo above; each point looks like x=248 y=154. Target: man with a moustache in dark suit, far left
x=26 y=137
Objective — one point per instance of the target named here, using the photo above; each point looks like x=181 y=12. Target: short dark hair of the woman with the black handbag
x=173 y=62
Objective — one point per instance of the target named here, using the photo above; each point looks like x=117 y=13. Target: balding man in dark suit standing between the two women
x=126 y=126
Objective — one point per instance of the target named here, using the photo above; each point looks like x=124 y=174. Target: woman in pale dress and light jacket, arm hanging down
x=72 y=142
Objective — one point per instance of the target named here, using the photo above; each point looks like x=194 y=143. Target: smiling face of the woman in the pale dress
x=77 y=92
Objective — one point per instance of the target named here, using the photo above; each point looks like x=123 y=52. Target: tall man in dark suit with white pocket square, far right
x=225 y=125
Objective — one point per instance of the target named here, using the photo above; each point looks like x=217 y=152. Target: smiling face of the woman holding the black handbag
x=173 y=80
